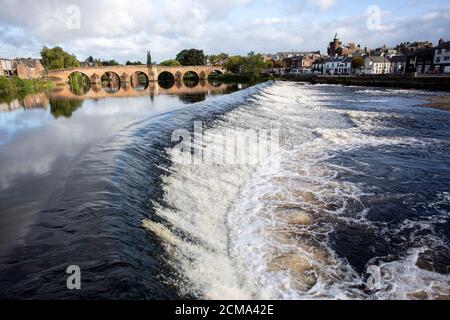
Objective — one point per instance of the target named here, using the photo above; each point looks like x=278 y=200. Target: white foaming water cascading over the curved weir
x=260 y=232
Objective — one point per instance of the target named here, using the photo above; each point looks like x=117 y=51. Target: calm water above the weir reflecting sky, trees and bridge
x=43 y=136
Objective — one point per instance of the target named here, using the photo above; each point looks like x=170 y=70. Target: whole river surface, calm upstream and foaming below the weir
x=356 y=205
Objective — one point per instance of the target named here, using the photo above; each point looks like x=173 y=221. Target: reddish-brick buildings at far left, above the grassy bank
x=23 y=68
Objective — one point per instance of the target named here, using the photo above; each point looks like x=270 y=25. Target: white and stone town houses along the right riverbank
x=415 y=57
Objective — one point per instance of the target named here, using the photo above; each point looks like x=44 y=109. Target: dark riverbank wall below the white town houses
x=441 y=83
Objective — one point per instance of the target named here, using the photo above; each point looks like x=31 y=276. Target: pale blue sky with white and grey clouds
x=126 y=30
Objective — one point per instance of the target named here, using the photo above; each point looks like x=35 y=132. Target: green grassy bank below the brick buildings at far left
x=11 y=87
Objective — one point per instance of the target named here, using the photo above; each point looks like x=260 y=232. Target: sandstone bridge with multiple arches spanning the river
x=126 y=74
